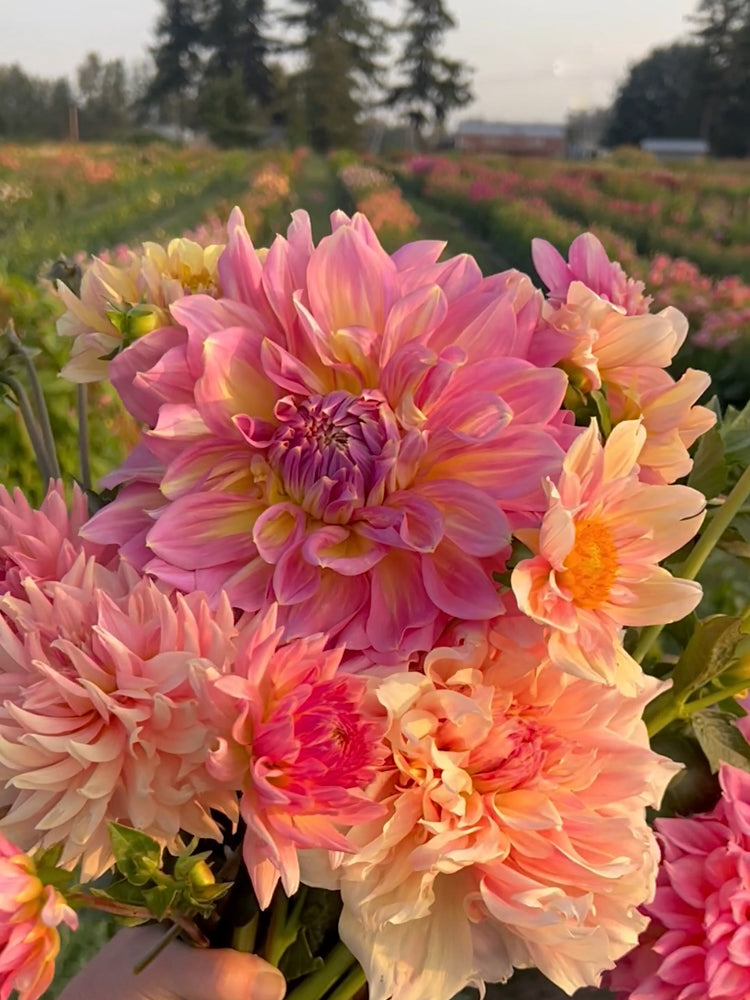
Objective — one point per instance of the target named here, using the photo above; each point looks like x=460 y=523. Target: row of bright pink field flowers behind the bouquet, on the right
x=497 y=202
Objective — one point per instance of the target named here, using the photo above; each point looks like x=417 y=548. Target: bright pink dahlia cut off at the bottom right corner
x=698 y=944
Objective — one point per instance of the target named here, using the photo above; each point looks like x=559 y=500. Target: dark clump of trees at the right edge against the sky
x=699 y=88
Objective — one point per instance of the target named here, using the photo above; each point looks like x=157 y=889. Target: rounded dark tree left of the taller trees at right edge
x=660 y=97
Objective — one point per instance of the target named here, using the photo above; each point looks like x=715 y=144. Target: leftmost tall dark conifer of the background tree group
x=177 y=58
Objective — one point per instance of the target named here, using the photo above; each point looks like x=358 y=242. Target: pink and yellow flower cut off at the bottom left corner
x=30 y=914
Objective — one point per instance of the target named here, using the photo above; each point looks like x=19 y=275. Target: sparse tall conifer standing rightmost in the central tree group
x=431 y=85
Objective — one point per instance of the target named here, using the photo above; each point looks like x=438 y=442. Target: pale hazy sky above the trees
x=534 y=60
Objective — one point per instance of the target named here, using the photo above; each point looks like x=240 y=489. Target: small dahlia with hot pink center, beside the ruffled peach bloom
x=296 y=741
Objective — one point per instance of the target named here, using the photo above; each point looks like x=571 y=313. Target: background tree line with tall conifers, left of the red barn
x=230 y=69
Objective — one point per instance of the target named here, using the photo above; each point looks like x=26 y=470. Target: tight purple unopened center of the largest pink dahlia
x=334 y=451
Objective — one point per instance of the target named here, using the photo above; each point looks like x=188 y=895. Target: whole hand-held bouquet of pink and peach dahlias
x=343 y=664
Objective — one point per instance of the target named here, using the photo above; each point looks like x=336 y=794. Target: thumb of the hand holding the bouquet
x=221 y=974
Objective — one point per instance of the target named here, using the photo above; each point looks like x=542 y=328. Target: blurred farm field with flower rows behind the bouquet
x=685 y=233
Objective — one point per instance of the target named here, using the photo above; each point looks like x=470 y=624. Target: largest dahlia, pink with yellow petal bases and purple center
x=346 y=433
